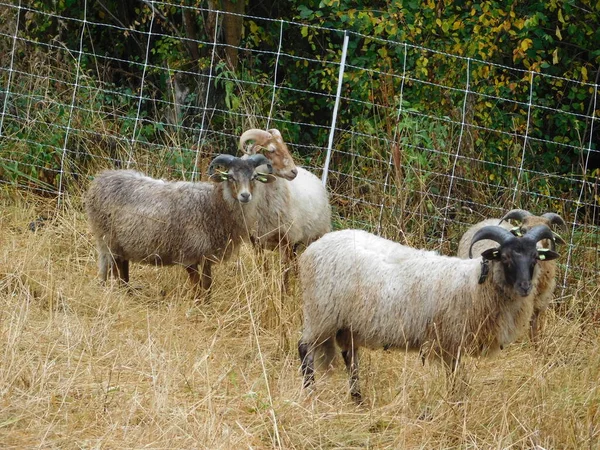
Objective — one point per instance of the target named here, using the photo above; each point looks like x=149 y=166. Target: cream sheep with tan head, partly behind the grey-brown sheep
x=296 y=208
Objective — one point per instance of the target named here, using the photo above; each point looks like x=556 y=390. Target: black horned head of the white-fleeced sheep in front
x=517 y=256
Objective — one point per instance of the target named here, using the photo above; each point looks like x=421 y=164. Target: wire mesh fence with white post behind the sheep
x=405 y=170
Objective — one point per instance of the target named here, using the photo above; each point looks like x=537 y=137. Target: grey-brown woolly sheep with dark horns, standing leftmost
x=137 y=218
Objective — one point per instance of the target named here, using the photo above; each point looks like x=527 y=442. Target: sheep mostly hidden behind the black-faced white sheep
x=547 y=282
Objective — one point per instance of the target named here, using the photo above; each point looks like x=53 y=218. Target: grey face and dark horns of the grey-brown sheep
x=241 y=176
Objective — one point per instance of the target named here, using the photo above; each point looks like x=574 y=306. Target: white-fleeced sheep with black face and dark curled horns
x=359 y=290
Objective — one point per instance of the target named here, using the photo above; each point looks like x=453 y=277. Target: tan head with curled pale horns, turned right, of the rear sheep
x=275 y=149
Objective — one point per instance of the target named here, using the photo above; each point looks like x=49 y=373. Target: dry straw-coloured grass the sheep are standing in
x=87 y=366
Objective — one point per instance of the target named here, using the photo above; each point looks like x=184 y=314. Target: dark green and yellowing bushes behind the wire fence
x=149 y=71
